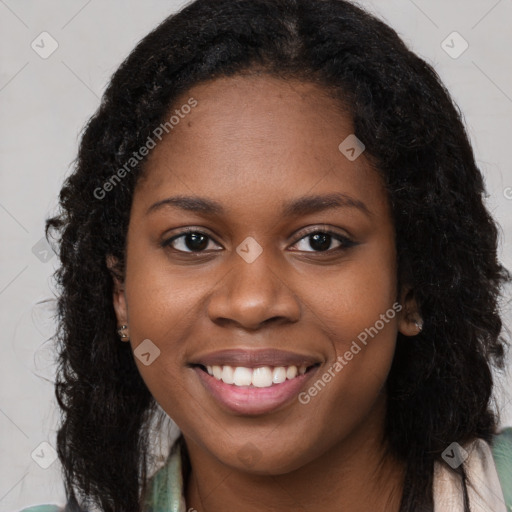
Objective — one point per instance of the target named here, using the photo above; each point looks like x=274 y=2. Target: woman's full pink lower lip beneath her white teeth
x=252 y=400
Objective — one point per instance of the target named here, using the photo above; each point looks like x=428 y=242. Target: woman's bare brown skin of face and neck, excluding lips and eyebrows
x=253 y=144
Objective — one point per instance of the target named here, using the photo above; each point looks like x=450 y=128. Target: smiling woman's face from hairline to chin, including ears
x=289 y=263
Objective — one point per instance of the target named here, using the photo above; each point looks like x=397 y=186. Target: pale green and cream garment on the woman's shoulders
x=489 y=473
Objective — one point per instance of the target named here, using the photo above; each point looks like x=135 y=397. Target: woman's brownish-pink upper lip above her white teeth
x=253 y=358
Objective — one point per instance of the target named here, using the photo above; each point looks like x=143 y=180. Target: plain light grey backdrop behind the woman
x=45 y=103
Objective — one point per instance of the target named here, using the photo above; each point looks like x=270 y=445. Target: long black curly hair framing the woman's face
x=439 y=387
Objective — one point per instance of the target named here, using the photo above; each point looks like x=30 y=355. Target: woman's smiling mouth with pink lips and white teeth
x=249 y=382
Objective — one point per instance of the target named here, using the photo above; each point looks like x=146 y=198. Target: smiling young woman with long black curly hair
x=277 y=208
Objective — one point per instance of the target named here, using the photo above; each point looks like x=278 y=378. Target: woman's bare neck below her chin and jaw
x=356 y=475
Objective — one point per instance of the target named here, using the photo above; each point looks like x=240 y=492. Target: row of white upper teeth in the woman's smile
x=261 y=377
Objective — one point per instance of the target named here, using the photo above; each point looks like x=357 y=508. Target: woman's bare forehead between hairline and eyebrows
x=252 y=139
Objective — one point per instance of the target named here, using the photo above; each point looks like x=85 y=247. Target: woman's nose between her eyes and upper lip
x=254 y=294
